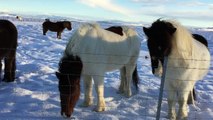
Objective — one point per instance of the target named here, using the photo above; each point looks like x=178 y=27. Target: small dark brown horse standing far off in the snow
x=56 y=27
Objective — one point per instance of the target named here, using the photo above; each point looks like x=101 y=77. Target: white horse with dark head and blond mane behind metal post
x=188 y=62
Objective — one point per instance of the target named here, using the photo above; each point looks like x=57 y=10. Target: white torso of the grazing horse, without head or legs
x=100 y=48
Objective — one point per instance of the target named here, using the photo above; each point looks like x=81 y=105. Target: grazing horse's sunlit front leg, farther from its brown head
x=99 y=87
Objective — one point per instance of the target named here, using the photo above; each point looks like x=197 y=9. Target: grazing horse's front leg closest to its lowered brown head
x=88 y=99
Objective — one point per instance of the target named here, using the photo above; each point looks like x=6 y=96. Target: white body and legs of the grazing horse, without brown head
x=101 y=51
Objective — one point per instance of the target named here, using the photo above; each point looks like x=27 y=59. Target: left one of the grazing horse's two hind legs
x=123 y=79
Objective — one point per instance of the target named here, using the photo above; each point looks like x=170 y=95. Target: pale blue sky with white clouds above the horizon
x=188 y=12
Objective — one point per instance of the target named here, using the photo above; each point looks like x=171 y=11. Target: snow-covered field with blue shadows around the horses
x=35 y=96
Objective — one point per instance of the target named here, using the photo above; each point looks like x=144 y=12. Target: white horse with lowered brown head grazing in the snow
x=90 y=53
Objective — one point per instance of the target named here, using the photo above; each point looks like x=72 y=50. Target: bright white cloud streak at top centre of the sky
x=107 y=5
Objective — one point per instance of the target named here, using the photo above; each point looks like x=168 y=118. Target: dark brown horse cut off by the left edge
x=8 y=45
